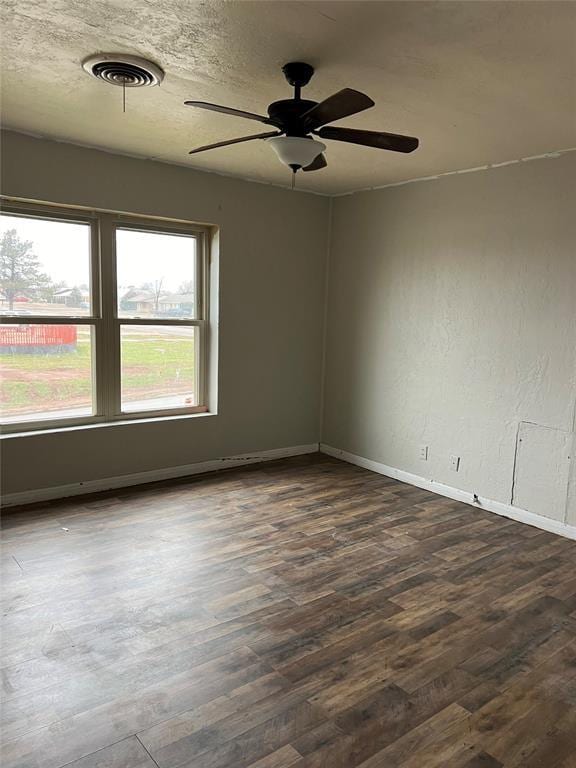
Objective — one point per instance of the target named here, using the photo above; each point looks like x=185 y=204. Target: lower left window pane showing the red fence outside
x=45 y=372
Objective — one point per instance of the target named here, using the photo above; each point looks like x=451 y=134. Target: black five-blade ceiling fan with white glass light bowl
x=297 y=120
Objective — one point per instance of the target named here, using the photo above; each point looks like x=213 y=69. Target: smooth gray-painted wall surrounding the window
x=273 y=245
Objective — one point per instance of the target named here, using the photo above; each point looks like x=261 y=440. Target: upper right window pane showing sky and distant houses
x=156 y=274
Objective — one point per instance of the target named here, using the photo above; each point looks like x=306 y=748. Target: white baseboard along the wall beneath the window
x=138 y=478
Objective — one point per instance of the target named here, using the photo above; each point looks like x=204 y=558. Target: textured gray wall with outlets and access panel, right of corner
x=451 y=322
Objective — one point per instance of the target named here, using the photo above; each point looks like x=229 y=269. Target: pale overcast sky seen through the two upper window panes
x=63 y=251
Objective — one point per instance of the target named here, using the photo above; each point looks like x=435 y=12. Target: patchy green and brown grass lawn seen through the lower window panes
x=154 y=363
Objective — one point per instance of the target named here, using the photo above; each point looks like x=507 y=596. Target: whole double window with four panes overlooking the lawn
x=102 y=318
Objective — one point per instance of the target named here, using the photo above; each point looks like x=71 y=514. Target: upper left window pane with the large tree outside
x=44 y=267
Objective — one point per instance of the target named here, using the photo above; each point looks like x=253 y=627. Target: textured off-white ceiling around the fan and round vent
x=478 y=82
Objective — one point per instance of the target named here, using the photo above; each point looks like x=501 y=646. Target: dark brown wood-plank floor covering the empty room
x=305 y=613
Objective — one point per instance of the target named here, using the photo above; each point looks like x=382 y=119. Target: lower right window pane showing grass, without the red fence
x=158 y=367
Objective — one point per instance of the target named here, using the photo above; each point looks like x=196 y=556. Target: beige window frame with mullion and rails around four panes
x=104 y=318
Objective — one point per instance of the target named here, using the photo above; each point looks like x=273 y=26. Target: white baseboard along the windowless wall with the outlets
x=506 y=510
